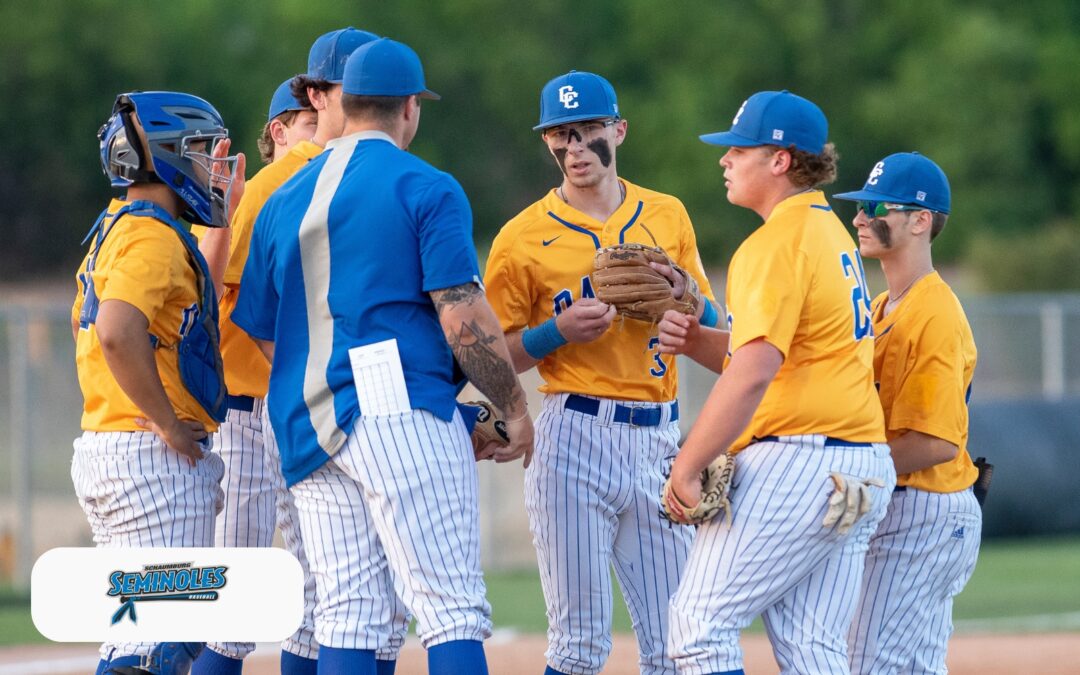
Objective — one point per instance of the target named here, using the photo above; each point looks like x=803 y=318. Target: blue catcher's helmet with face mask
x=172 y=124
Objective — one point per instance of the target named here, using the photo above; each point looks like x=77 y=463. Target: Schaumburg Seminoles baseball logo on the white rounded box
x=171 y=582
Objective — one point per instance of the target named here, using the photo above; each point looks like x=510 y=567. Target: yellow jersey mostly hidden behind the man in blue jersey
x=247 y=371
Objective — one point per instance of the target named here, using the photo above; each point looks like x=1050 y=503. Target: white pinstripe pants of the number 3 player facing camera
x=593 y=499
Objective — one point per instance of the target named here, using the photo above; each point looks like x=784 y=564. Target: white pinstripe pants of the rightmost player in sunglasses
x=922 y=557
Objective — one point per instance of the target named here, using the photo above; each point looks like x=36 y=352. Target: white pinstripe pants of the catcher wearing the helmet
x=138 y=493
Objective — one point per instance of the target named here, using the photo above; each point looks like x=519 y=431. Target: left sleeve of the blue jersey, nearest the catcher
x=256 y=312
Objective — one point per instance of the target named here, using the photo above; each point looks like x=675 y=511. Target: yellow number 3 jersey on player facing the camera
x=539 y=265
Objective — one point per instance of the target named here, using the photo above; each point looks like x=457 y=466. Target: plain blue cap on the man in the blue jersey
x=386 y=67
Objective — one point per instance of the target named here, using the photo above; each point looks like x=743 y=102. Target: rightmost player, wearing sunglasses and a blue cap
x=925 y=550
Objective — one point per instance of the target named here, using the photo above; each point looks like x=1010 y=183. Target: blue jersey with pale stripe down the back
x=345 y=255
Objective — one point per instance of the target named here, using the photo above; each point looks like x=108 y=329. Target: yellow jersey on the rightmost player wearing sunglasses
x=924 y=361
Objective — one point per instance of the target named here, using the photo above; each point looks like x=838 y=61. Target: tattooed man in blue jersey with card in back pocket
x=362 y=395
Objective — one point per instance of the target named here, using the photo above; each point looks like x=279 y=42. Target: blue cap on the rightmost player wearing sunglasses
x=906 y=179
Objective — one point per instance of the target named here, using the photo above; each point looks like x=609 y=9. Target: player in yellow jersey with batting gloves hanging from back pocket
x=796 y=403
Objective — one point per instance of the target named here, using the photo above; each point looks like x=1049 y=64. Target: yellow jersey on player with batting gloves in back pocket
x=798 y=283
